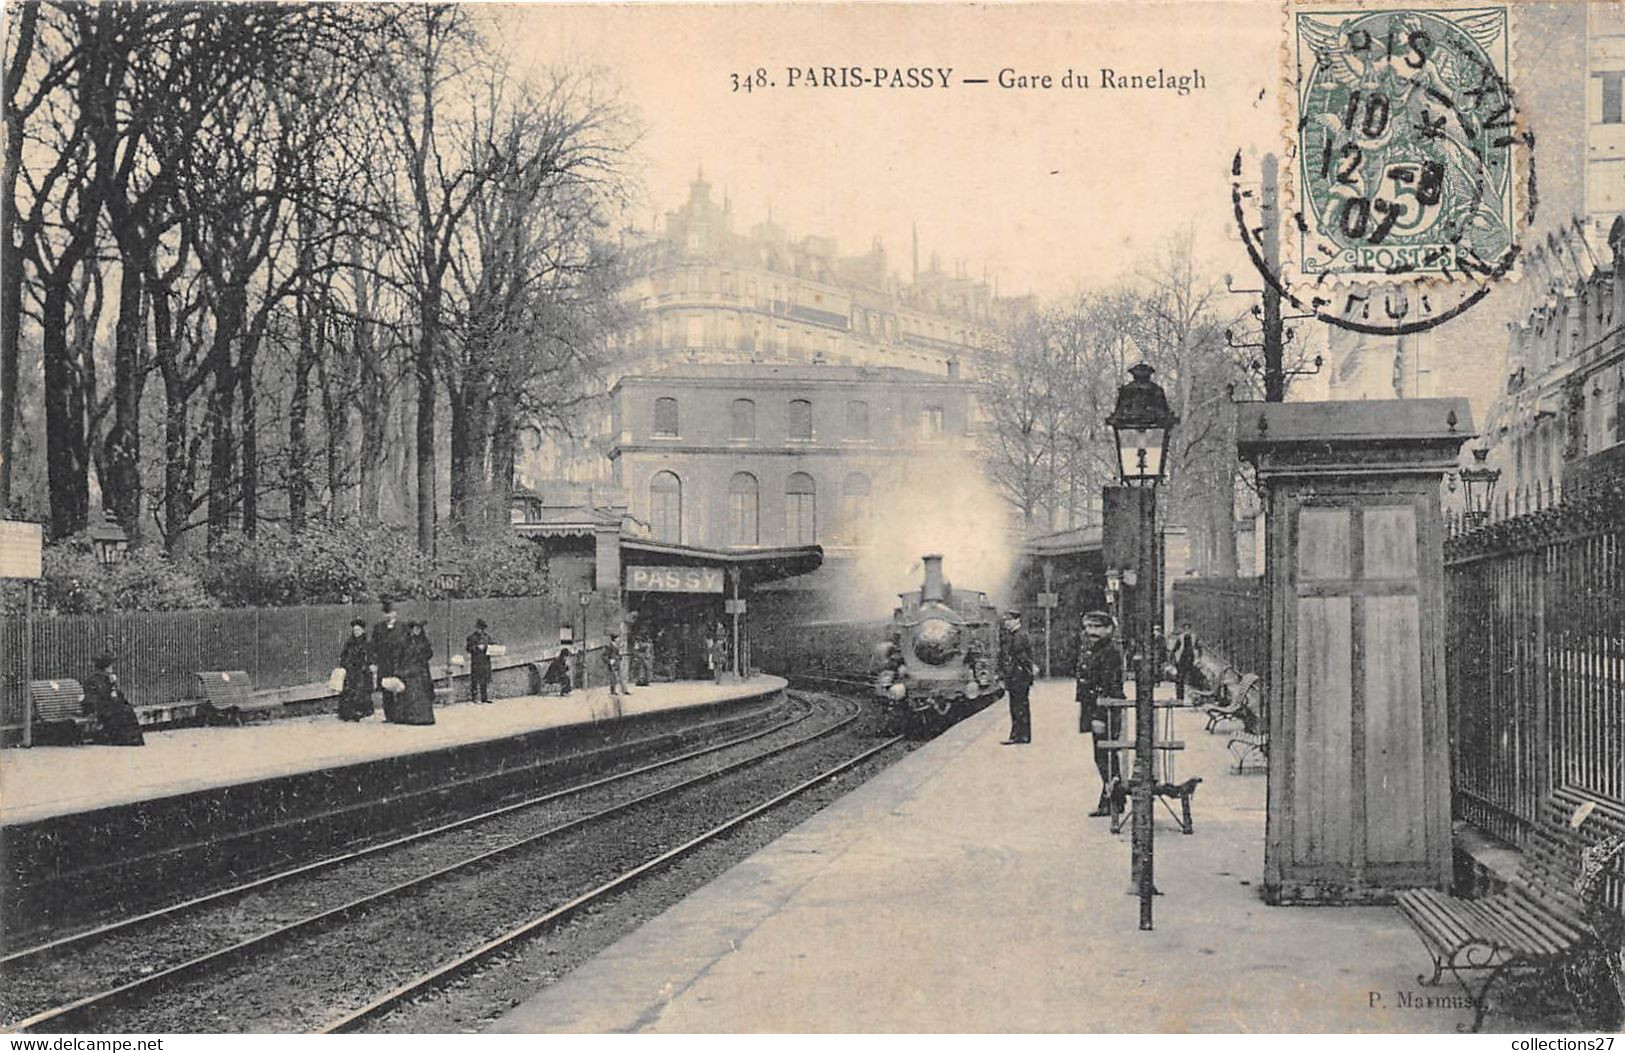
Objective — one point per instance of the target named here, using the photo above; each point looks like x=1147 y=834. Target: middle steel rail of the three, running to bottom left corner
x=313 y=922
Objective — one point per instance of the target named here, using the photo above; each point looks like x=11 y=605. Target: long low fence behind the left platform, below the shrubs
x=160 y=652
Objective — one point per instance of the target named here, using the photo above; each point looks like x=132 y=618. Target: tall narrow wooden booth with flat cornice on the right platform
x=1359 y=752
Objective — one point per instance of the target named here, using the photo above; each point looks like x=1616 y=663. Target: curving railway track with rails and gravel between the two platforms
x=230 y=940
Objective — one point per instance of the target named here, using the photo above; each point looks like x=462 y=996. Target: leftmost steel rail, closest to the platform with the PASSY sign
x=350 y=857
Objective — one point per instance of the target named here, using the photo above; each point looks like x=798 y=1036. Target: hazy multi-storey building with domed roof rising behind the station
x=708 y=295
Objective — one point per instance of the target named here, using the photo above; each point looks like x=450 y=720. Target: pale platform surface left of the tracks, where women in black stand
x=58 y=781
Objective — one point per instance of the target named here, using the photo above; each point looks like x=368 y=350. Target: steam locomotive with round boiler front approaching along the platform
x=942 y=659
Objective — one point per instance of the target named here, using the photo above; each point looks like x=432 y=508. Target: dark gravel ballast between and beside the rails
x=399 y=937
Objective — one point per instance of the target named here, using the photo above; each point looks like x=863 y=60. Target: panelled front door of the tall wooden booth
x=1358 y=776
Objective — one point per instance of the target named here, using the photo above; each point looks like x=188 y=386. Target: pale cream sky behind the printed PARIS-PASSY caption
x=1047 y=191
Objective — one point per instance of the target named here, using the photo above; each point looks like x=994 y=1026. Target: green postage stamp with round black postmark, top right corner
x=1411 y=162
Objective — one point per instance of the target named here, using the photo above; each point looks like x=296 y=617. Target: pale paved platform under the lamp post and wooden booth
x=966 y=891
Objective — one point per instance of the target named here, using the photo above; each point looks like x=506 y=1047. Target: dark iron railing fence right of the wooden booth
x=1536 y=661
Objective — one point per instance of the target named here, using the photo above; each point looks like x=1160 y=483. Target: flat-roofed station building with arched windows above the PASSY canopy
x=763 y=456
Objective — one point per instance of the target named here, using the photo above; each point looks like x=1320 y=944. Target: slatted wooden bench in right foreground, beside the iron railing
x=1540 y=922
